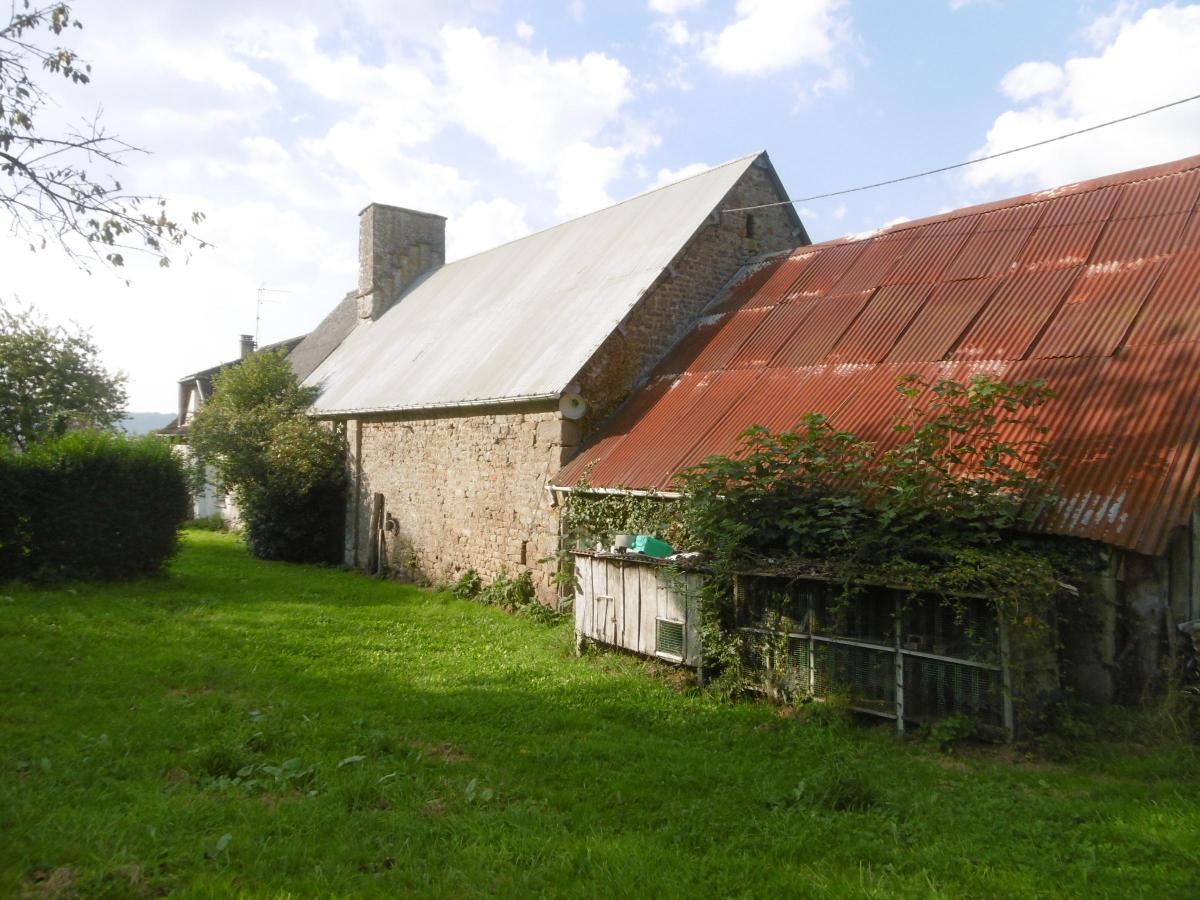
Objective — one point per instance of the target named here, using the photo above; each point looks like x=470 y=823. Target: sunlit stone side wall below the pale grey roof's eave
x=466 y=491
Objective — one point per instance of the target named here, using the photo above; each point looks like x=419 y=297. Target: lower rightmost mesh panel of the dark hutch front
x=934 y=689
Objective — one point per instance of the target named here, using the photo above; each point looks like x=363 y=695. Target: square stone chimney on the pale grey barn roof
x=397 y=247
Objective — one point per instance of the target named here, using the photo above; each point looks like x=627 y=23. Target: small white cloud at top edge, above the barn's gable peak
x=777 y=35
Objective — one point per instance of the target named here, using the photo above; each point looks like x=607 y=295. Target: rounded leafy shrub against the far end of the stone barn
x=286 y=471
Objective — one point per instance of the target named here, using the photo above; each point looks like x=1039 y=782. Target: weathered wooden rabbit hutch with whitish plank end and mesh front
x=892 y=653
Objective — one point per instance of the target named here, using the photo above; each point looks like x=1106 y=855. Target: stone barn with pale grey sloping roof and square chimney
x=464 y=387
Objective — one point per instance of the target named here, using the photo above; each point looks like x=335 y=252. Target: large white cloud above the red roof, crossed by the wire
x=1150 y=61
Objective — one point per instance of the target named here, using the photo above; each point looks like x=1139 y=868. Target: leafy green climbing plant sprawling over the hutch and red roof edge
x=939 y=506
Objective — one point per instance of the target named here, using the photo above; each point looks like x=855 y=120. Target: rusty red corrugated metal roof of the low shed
x=1094 y=287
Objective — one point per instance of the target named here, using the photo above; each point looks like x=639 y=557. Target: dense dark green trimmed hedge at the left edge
x=91 y=506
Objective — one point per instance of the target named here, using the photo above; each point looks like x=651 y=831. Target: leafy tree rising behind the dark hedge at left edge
x=52 y=381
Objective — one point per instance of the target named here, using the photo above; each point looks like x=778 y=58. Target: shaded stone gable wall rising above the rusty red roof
x=668 y=311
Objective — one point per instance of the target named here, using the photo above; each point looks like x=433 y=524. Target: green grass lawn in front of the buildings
x=253 y=729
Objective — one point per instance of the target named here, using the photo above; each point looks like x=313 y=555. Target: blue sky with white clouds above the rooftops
x=283 y=119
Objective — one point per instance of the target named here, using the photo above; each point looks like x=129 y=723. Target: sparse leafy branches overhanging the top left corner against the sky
x=47 y=181
